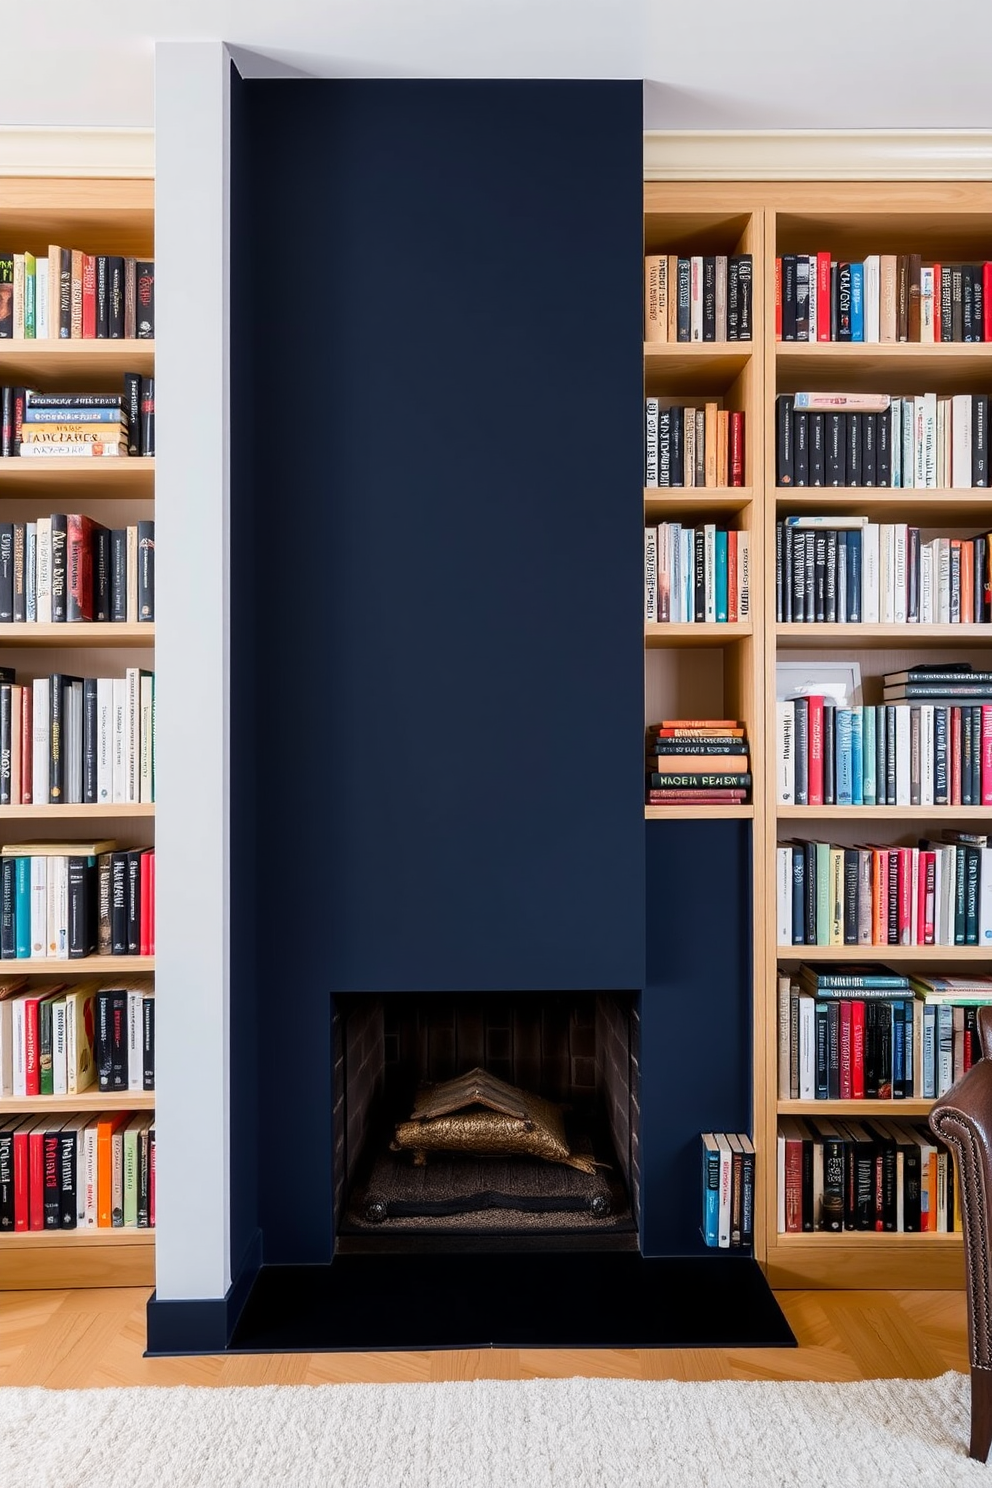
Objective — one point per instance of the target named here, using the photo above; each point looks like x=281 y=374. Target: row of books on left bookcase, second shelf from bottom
x=60 y=1039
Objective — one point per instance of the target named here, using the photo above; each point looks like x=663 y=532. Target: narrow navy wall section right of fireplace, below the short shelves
x=695 y=1017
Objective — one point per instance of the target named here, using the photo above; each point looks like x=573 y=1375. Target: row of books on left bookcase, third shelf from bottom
x=66 y=901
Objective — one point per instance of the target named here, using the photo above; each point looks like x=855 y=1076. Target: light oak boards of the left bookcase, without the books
x=102 y=217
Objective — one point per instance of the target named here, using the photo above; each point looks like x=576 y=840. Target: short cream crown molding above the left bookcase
x=77 y=153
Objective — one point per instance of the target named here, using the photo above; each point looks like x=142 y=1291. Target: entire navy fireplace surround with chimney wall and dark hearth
x=438 y=687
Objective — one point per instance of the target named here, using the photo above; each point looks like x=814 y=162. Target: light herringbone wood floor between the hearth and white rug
x=86 y=1338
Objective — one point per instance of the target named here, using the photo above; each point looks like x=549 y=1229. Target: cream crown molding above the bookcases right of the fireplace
x=810 y=155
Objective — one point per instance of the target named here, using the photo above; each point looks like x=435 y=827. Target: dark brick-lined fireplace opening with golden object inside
x=579 y=1053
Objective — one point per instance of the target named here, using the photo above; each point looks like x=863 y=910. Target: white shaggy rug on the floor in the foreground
x=548 y=1434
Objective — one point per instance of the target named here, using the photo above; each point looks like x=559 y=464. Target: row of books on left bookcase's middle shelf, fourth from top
x=78 y=740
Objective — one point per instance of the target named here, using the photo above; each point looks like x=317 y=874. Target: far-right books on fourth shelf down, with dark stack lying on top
x=929 y=743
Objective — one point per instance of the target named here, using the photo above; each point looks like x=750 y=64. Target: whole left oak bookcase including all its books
x=77 y=591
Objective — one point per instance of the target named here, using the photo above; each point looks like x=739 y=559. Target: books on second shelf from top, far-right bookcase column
x=927 y=441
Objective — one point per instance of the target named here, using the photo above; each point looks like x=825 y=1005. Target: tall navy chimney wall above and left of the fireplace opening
x=439 y=627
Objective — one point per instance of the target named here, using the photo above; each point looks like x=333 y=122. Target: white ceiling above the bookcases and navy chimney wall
x=715 y=65
